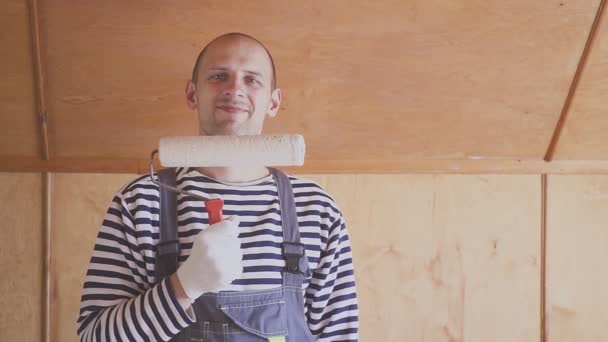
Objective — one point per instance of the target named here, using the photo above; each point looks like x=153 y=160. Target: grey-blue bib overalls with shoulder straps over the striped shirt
x=265 y=315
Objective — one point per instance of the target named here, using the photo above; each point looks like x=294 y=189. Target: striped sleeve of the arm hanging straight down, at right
x=331 y=298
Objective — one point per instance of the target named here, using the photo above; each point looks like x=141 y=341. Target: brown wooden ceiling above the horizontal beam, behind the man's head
x=379 y=86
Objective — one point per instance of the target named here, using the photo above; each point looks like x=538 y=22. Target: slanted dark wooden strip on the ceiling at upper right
x=575 y=82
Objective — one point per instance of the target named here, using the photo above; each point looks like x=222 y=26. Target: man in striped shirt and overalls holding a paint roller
x=233 y=89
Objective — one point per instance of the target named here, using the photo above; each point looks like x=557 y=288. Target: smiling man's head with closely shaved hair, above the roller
x=233 y=94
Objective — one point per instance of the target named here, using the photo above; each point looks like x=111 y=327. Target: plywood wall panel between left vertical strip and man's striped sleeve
x=79 y=203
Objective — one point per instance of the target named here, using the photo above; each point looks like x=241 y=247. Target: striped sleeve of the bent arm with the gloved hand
x=121 y=300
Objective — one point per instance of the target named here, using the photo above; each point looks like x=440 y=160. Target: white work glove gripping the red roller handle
x=215 y=259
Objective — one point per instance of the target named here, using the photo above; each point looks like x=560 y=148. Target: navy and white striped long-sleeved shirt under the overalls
x=123 y=300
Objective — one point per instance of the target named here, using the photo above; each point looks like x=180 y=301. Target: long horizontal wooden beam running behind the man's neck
x=367 y=166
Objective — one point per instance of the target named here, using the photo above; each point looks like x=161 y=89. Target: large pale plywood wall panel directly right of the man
x=444 y=258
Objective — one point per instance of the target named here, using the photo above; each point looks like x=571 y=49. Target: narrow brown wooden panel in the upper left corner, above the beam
x=18 y=118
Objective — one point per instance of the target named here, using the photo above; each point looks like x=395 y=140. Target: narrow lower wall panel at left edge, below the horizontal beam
x=21 y=245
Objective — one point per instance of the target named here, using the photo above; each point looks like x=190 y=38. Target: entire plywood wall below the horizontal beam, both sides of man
x=438 y=257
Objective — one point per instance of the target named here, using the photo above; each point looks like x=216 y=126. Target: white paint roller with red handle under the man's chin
x=226 y=151
